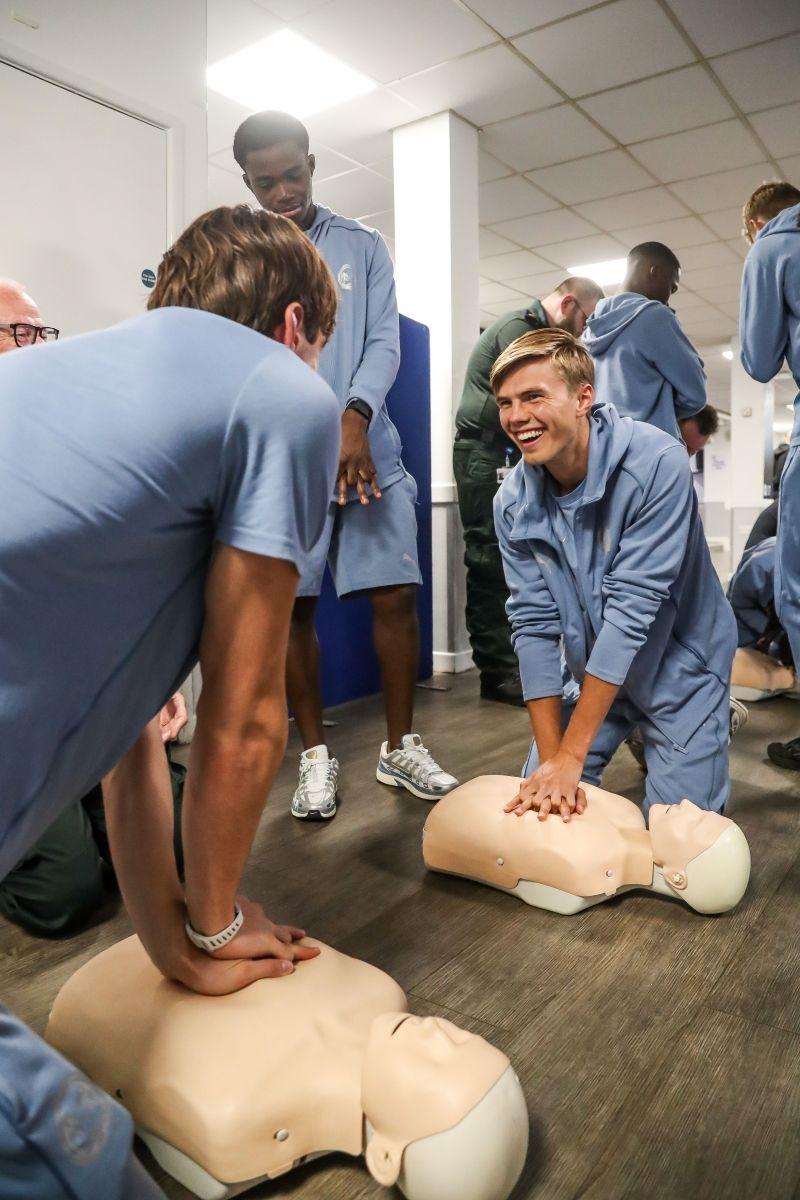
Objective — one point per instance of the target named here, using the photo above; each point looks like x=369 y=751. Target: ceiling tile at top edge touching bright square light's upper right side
x=387 y=40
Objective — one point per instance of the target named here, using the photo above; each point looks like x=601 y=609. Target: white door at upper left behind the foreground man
x=83 y=205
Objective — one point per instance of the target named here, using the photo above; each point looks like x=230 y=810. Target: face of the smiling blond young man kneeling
x=539 y=413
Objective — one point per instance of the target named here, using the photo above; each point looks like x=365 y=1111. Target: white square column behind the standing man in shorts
x=436 y=253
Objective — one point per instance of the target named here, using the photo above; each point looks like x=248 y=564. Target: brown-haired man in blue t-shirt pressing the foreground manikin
x=163 y=484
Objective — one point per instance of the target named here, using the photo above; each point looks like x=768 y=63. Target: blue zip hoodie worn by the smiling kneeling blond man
x=641 y=605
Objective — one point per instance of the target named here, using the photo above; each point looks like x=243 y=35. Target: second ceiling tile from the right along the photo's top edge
x=612 y=45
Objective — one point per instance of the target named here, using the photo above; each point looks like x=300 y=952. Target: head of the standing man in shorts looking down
x=273 y=152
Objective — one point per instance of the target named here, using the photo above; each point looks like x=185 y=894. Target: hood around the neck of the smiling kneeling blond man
x=610 y=436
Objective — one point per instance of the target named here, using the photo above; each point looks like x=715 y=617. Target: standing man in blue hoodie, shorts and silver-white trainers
x=370 y=539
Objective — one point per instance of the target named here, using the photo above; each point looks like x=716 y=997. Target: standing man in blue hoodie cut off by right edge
x=769 y=329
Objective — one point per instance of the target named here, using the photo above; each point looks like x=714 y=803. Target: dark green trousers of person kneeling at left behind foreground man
x=61 y=884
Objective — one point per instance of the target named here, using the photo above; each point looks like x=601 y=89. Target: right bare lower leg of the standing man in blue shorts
x=396 y=637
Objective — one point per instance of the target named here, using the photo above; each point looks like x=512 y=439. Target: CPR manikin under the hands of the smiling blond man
x=688 y=854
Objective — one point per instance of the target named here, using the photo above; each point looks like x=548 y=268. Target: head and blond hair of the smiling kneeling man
x=544 y=386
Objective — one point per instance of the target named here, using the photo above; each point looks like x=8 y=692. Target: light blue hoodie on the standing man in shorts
x=363 y=357
